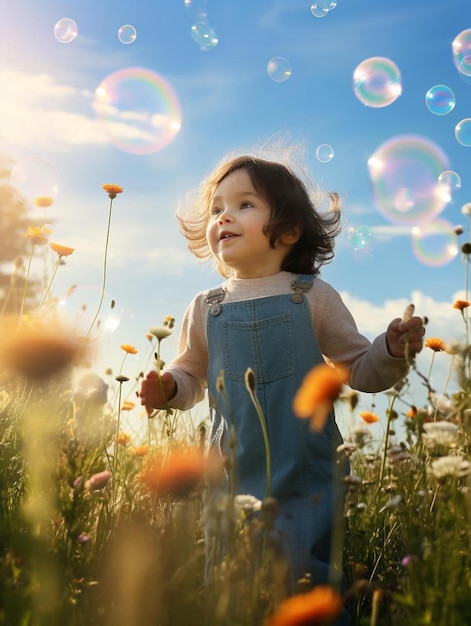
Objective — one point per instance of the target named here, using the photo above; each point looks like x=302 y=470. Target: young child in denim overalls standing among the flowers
x=274 y=315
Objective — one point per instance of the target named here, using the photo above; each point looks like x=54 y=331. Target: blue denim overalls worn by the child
x=274 y=336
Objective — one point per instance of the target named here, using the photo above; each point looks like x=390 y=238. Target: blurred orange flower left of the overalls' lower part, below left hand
x=179 y=472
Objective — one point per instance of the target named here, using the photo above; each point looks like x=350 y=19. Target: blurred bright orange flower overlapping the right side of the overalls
x=319 y=390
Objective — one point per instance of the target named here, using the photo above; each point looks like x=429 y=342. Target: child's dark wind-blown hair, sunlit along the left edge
x=291 y=209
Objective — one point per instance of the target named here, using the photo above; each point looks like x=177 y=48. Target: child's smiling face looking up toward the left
x=236 y=229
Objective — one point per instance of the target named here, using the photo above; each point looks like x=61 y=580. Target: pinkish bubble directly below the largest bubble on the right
x=435 y=243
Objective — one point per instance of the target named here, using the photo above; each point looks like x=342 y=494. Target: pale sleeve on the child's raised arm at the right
x=372 y=368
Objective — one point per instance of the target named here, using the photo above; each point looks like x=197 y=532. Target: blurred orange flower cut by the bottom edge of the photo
x=321 y=605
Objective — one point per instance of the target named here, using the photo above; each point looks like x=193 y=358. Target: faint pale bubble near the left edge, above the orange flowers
x=34 y=177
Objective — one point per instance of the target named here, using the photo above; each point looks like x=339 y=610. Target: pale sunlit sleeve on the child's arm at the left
x=190 y=367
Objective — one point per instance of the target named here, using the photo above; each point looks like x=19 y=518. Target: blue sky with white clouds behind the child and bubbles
x=229 y=103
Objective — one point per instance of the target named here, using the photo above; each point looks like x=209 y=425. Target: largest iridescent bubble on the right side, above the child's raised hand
x=404 y=173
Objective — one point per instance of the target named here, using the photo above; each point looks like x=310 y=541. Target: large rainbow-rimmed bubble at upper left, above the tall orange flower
x=138 y=110
